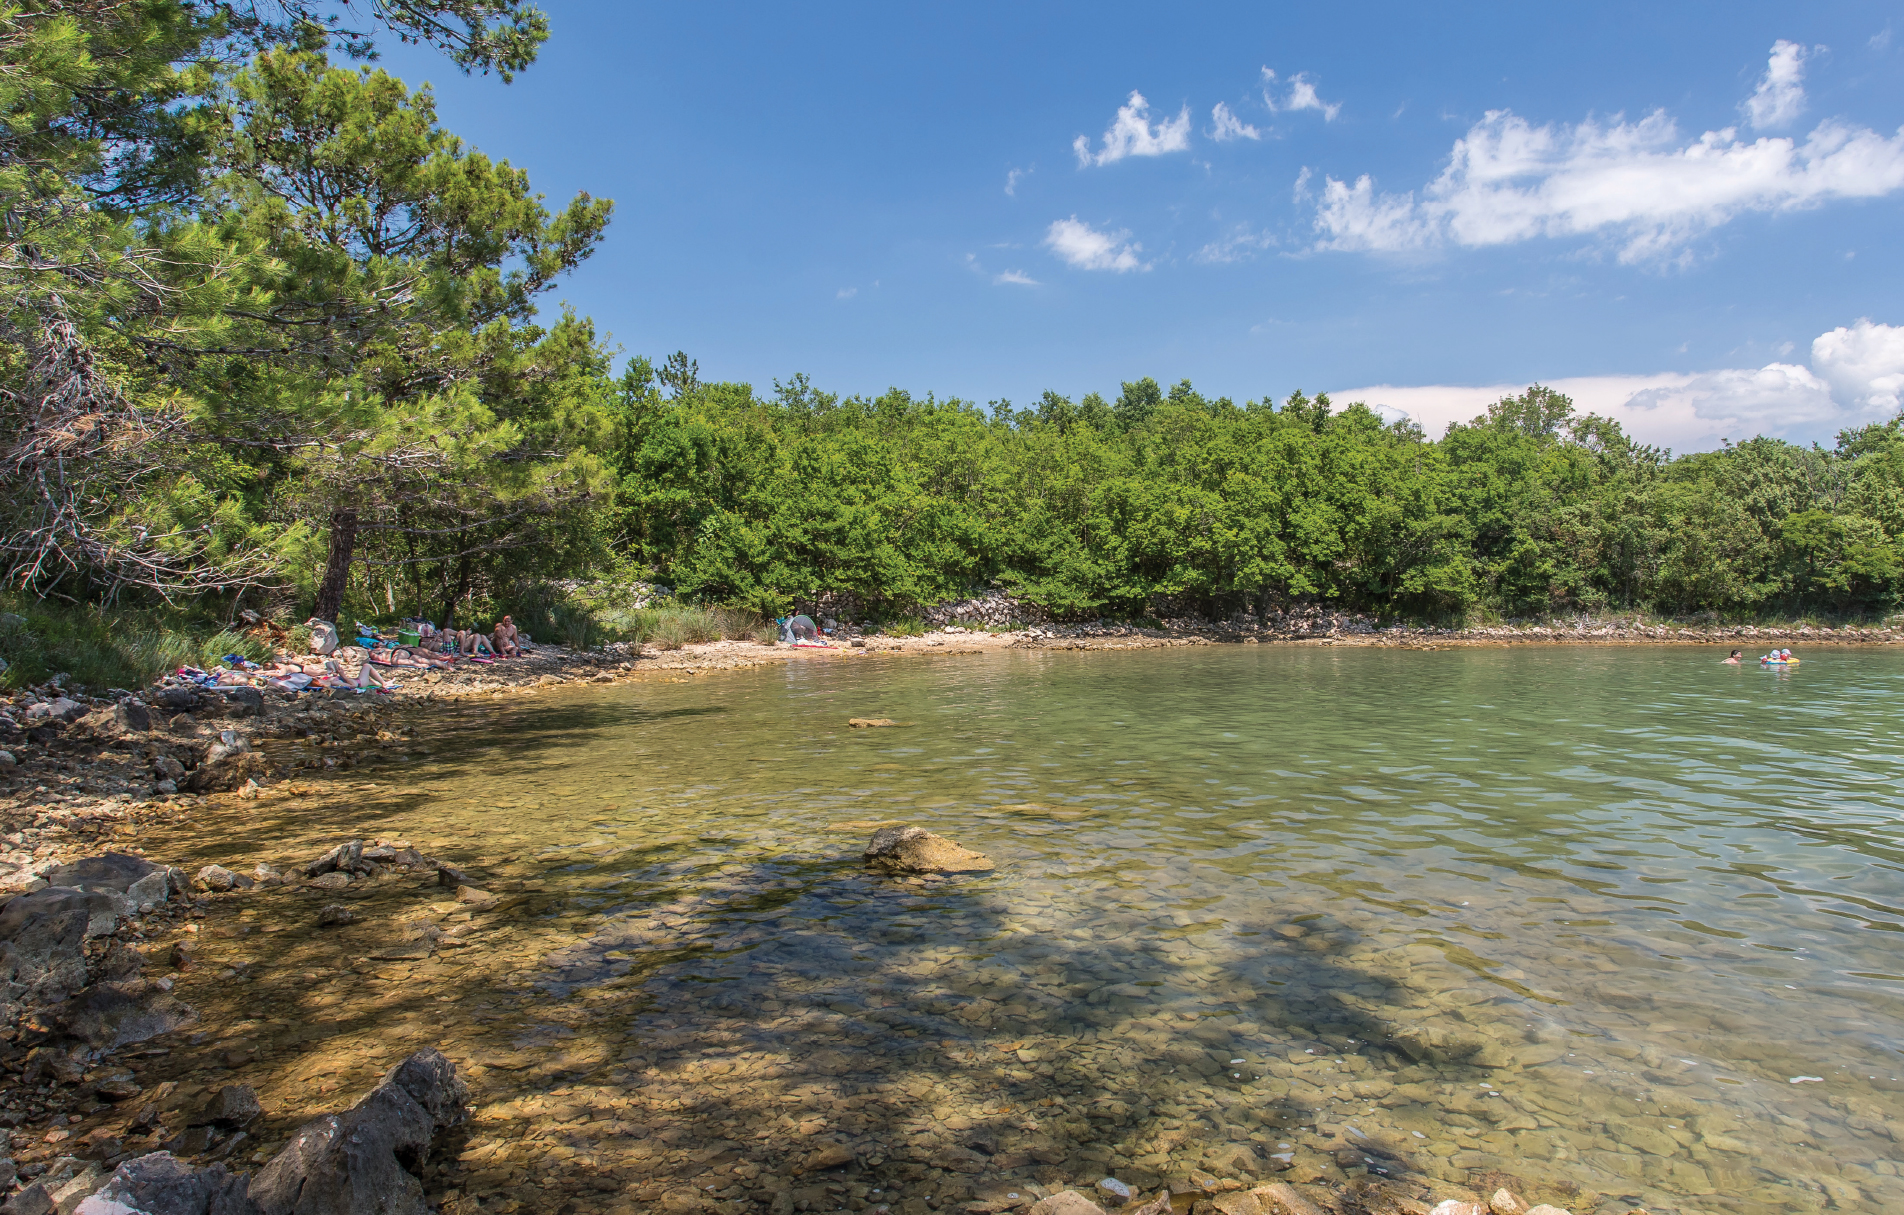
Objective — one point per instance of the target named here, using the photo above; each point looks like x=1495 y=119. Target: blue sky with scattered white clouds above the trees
x=1690 y=216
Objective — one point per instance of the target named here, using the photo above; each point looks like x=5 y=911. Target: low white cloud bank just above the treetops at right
x=1855 y=378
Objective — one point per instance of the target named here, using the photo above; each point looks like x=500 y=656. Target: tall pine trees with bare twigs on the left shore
x=235 y=258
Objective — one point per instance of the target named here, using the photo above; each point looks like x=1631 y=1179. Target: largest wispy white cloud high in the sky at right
x=1638 y=184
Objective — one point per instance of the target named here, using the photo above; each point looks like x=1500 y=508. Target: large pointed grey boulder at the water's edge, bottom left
x=361 y=1163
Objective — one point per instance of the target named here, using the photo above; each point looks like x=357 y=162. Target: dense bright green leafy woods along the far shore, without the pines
x=1113 y=508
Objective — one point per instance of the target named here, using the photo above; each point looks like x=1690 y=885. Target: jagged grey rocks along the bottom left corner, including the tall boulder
x=361 y=1163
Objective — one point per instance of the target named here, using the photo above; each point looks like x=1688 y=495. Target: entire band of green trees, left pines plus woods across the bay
x=269 y=330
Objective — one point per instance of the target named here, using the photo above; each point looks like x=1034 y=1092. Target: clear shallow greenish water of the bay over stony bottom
x=1621 y=923
